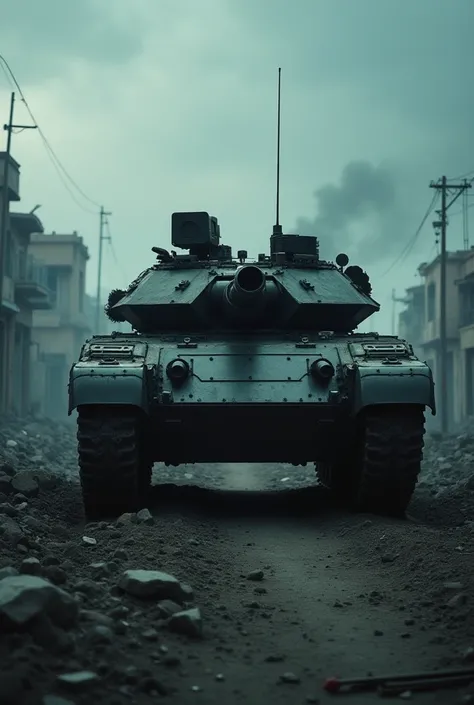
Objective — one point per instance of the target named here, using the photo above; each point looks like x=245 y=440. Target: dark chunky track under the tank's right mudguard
x=383 y=473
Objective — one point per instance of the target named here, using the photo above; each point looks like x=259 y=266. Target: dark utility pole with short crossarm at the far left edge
x=4 y=221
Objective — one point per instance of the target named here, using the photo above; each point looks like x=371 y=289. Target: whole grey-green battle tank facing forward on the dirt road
x=231 y=360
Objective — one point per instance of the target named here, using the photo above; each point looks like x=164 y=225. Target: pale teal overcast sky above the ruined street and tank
x=154 y=107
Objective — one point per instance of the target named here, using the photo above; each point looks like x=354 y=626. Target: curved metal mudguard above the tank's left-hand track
x=108 y=384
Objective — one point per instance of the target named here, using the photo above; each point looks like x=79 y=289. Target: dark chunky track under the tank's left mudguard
x=114 y=471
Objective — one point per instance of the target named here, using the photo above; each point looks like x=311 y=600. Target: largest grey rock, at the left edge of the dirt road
x=23 y=597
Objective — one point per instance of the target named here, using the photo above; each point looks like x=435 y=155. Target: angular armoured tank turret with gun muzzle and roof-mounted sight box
x=206 y=288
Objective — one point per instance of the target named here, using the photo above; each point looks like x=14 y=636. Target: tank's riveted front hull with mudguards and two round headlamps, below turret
x=248 y=399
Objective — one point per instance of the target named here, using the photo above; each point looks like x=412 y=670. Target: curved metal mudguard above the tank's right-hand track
x=397 y=384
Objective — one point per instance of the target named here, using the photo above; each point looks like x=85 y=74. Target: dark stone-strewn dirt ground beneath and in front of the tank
x=337 y=594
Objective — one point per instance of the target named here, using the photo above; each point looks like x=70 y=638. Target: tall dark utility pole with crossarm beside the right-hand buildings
x=444 y=187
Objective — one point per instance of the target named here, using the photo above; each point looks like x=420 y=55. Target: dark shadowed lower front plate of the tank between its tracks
x=252 y=433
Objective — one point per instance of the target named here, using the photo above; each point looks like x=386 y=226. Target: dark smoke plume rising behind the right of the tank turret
x=358 y=216
